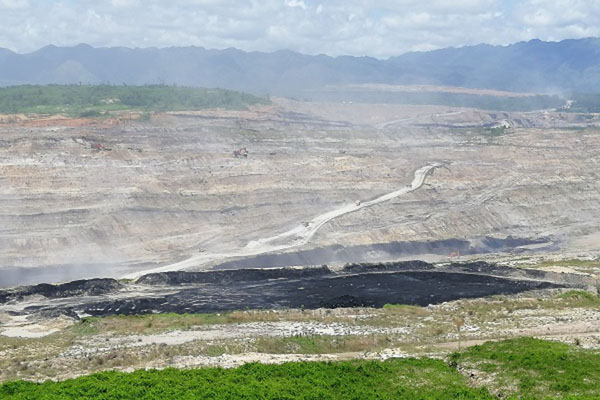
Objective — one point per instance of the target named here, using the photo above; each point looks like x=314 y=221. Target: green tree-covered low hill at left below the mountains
x=94 y=101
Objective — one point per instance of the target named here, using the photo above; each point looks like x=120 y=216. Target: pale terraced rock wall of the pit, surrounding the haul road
x=171 y=188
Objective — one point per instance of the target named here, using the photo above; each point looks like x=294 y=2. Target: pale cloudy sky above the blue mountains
x=376 y=28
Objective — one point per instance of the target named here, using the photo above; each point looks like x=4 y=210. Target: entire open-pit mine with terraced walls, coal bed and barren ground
x=291 y=219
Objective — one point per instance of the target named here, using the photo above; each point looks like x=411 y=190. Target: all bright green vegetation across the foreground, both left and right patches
x=519 y=368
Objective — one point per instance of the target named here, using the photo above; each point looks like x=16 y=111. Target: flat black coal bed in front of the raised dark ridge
x=337 y=290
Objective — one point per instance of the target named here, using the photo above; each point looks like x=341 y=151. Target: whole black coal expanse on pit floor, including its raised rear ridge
x=357 y=285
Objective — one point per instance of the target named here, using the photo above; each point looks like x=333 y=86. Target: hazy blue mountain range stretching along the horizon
x=534 y=66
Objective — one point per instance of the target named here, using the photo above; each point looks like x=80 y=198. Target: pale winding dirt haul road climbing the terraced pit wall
x=295 y=237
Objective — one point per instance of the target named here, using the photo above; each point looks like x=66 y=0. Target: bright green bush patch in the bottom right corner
x=535 y=369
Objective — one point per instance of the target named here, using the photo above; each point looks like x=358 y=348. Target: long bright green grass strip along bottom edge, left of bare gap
x=360 y=380
